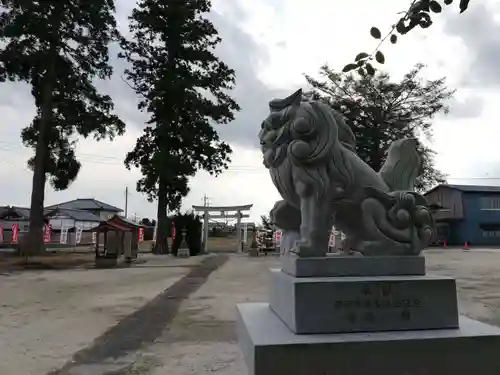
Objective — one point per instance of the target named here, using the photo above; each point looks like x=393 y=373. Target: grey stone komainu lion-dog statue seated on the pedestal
x=310 y=152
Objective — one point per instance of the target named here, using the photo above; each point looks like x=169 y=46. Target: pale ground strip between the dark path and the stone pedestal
x=202 y=338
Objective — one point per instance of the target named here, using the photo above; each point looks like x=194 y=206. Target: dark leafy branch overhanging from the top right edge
x=419 y=13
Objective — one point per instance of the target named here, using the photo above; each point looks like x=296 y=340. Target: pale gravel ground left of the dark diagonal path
x=47 y=316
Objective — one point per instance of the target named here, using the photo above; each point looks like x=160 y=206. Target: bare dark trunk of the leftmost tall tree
x=34 y=243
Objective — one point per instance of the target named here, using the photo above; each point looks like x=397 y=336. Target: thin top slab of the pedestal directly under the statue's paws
x=339 y=265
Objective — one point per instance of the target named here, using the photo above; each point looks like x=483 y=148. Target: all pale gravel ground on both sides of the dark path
x=47 y=316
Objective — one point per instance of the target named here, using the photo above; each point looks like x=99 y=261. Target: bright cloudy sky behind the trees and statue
x=271 y=44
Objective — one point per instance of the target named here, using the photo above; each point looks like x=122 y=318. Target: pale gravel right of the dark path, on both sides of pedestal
x=202 y=340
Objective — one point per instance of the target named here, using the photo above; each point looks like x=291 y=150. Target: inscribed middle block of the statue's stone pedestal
x=363 y=304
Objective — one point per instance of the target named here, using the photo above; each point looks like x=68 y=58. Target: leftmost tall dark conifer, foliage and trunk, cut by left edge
x=59 y=47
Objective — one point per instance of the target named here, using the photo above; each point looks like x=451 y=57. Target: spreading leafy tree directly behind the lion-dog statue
x=380 y=111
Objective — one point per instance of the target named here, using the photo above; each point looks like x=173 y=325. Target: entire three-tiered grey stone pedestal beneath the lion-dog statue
x=354 y=315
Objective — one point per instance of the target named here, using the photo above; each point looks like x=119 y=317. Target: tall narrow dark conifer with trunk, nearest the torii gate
x=183 y=86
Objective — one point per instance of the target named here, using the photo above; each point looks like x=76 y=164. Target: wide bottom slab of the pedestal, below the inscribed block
x=269 y=347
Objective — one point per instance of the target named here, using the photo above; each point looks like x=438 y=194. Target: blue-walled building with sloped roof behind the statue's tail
x=466 y=213
